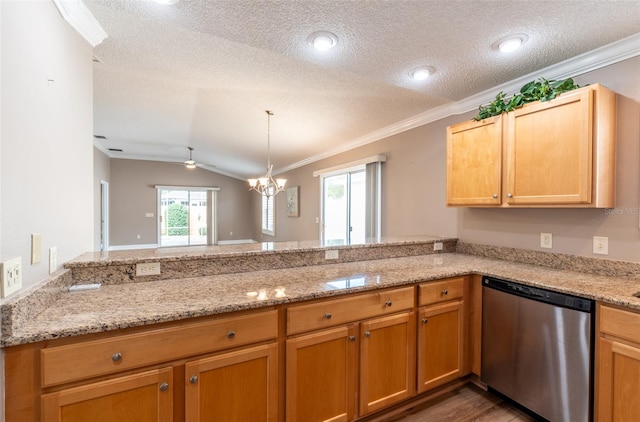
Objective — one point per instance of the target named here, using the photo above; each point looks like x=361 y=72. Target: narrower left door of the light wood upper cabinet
x=474 y=162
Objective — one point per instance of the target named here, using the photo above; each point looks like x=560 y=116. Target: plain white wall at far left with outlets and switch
x=46 y=164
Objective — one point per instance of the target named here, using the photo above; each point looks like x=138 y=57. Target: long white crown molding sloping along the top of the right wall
x=604 y=56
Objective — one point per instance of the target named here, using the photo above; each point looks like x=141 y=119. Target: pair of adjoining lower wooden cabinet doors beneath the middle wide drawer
x=323 y=375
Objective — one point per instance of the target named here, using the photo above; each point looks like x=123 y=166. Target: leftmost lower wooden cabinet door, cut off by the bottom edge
x=147 y=396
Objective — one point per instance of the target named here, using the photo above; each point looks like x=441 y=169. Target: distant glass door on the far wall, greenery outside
x=186 y=216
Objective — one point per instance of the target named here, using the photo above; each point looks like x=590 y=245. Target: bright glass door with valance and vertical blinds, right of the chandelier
x=351 y=202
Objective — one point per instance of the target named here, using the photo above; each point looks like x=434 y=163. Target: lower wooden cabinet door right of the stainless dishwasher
x=618 y=396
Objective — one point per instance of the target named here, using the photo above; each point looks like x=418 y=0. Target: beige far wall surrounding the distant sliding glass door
x=132 y=195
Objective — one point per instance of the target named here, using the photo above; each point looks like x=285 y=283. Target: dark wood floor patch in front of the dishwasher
x=466 y=404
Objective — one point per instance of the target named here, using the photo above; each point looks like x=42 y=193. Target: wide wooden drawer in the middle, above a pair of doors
x=340 y=311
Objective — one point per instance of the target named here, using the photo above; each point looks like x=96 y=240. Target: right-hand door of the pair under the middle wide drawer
x=387 y=361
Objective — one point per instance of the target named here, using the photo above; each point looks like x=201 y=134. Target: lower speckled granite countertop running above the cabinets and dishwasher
x=119 y=306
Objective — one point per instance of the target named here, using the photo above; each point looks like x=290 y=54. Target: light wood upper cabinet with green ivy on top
x=559 y=153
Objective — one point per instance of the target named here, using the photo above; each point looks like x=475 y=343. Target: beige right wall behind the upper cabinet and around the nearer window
x=414 y=189
